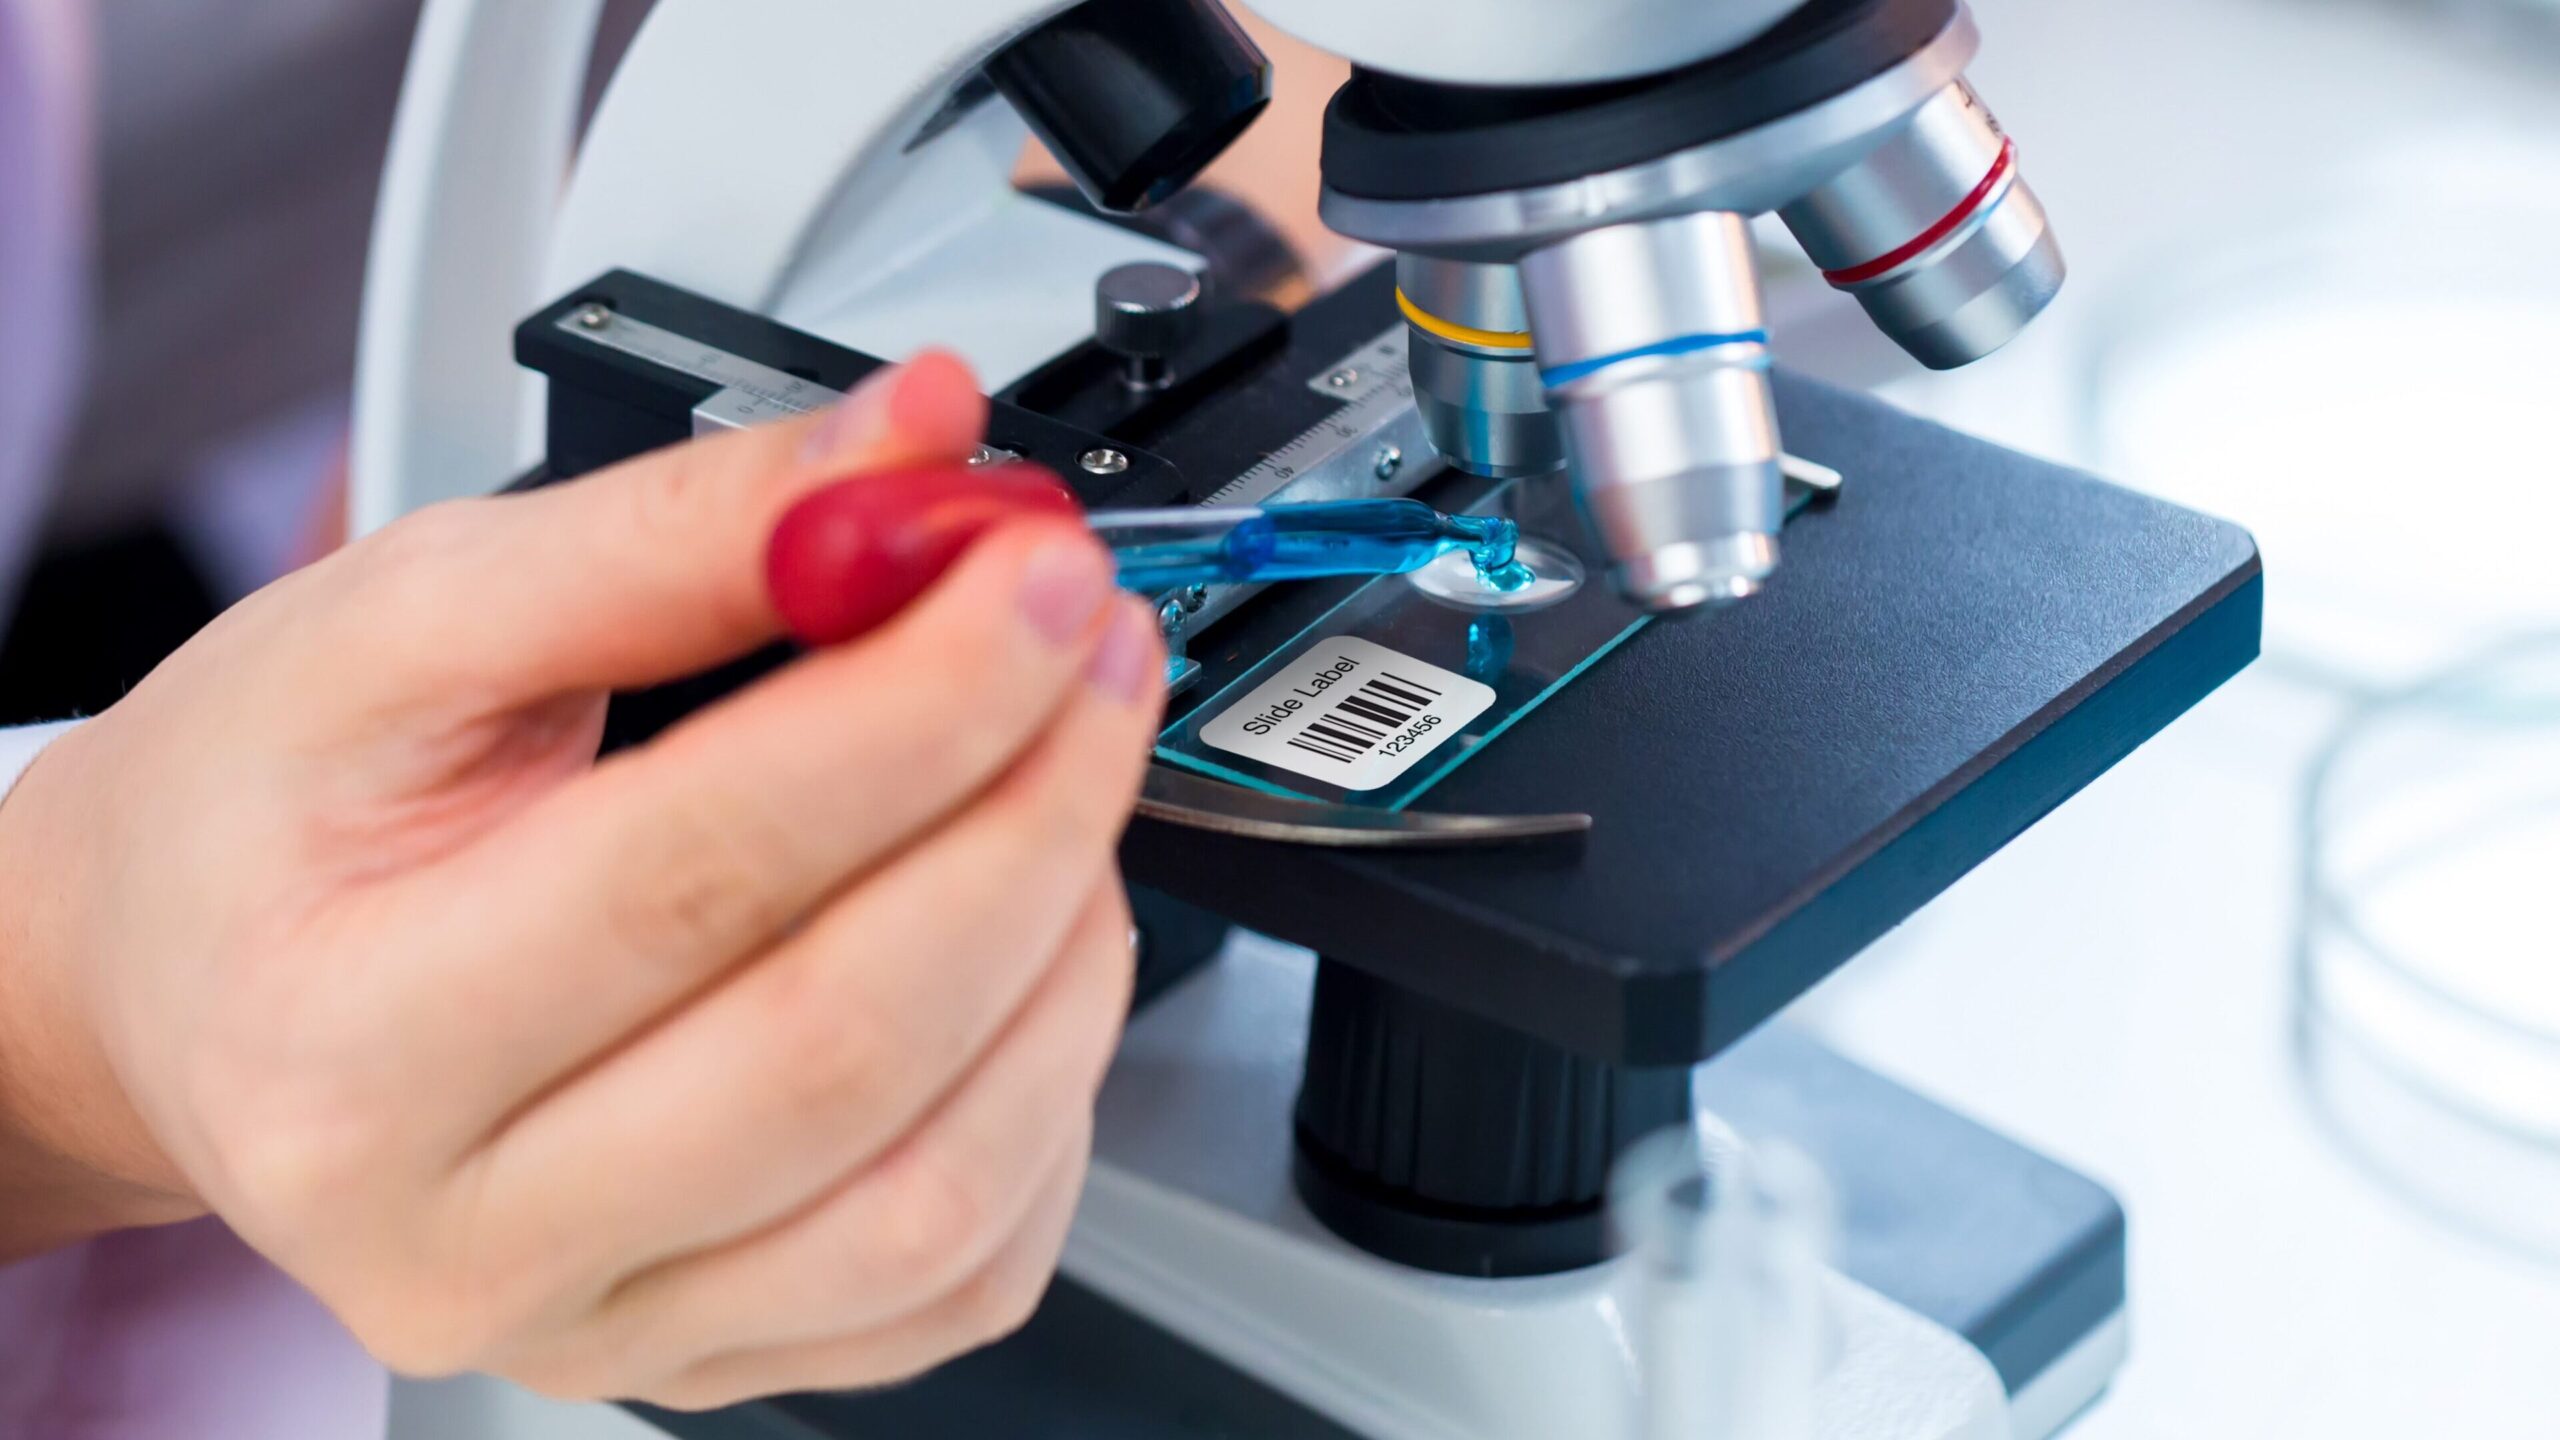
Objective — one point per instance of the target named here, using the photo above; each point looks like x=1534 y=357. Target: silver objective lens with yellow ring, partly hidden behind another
x=1476 y=380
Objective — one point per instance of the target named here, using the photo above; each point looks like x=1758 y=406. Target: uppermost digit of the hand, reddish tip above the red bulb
x=652 y=570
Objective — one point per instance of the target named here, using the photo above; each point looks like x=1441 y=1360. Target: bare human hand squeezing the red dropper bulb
x=744 y=1062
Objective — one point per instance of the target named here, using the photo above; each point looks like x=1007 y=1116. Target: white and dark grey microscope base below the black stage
x=1202 y=1298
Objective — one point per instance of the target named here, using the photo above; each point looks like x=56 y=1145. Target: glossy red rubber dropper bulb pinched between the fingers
x=859 y=552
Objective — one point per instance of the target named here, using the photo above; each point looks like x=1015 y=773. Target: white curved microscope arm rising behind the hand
x=721 y=160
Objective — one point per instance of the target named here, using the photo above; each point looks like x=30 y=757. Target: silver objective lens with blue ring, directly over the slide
x=1658 y=363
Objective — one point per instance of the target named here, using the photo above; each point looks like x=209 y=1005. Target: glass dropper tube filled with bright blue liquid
x=1176 y=550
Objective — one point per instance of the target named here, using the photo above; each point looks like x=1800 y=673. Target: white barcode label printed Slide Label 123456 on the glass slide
x=1350 y=714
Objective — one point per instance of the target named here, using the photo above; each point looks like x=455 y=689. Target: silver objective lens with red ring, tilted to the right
x=1937 y=234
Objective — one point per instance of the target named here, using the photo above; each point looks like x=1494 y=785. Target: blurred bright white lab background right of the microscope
x=2290 y=978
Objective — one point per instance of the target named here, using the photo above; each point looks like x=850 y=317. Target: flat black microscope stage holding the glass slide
x=1952 y=650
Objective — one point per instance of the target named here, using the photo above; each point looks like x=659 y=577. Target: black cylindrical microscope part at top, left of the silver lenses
x=1135 y=96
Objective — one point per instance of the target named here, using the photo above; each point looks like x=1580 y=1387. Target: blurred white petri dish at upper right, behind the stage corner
x=2364 y=373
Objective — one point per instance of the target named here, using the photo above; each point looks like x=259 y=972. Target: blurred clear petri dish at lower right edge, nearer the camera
x=2428 y=980
